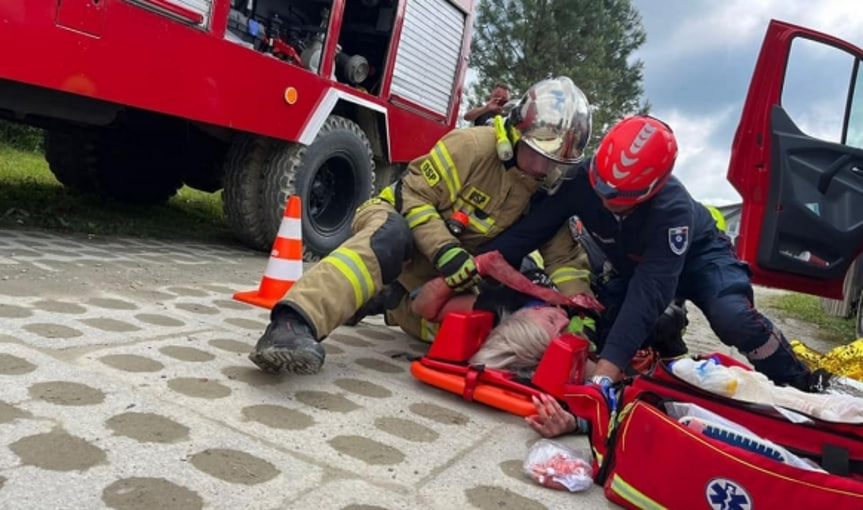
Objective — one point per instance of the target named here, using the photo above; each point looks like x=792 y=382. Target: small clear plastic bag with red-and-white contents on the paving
x=556 y=466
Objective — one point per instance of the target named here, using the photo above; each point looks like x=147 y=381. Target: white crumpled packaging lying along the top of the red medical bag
x=751 y=386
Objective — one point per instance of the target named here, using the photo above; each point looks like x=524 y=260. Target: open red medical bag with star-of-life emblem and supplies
x=745 y=445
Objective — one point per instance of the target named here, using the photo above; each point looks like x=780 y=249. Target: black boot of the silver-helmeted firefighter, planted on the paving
x=288 y=345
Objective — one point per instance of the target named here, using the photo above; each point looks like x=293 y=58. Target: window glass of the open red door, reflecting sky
x=818 y=92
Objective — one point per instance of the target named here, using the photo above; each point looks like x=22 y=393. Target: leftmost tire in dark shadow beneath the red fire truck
x=71 y=156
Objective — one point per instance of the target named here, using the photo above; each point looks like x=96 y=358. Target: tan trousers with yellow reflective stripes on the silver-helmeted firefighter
x=379 y=252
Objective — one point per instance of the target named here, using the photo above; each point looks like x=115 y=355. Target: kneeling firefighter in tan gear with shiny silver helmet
x=401 y=239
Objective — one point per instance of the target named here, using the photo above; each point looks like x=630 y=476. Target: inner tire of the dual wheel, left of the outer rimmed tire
x=242 y=194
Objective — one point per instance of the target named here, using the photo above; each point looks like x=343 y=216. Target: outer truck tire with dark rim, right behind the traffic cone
x=333 y=176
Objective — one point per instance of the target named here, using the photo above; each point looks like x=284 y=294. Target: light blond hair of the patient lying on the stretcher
x=516 y=344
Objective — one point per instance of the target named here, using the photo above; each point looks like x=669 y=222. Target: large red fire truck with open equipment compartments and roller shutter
x=260 y=98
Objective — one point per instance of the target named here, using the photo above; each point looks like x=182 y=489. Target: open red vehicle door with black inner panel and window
x=798 y=164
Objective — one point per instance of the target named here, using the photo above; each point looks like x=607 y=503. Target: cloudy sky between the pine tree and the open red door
x=698 y=60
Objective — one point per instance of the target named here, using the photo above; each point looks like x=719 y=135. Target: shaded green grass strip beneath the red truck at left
x=30 y=197
